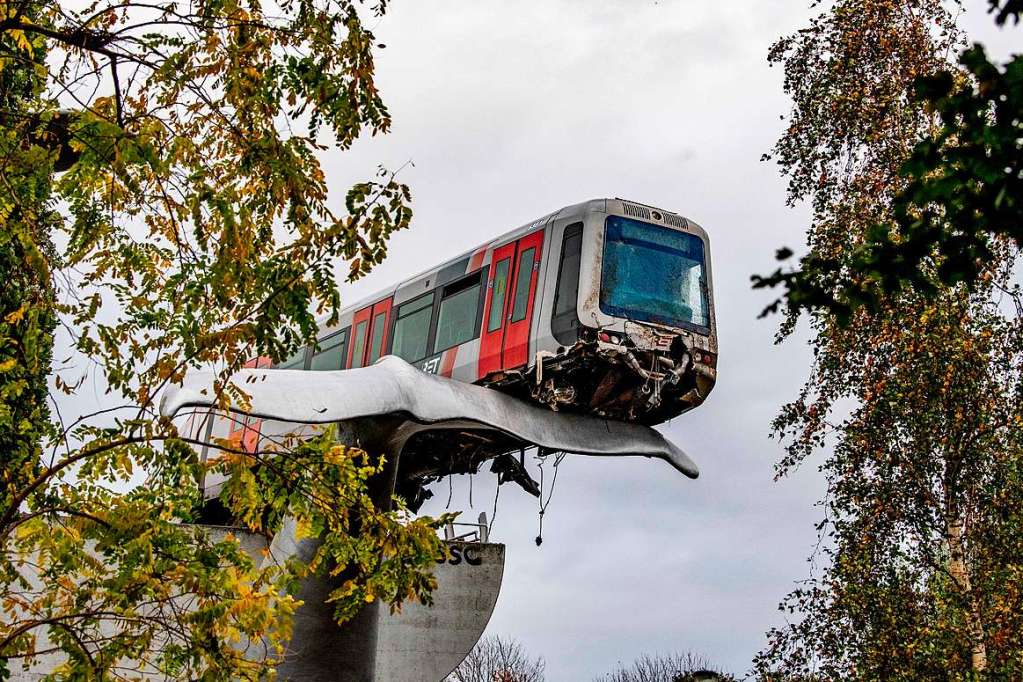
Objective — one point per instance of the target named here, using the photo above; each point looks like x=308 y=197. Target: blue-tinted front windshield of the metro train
x=655 y=275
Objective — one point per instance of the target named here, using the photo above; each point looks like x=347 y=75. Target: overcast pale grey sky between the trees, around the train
x=510 y=111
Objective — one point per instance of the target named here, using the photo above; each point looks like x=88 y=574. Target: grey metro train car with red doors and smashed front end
x=603 y=308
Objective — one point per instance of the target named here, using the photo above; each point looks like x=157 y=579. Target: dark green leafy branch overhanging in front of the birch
x=961 y=199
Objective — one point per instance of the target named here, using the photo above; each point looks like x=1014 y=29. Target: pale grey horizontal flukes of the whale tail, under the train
x=394 y=388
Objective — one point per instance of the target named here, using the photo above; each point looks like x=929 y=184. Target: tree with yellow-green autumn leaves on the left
x=172 y=151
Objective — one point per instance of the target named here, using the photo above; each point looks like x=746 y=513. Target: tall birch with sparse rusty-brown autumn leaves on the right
x=915 y=398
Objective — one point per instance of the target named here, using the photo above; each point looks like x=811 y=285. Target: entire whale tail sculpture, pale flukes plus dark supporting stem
x=427 y=428
